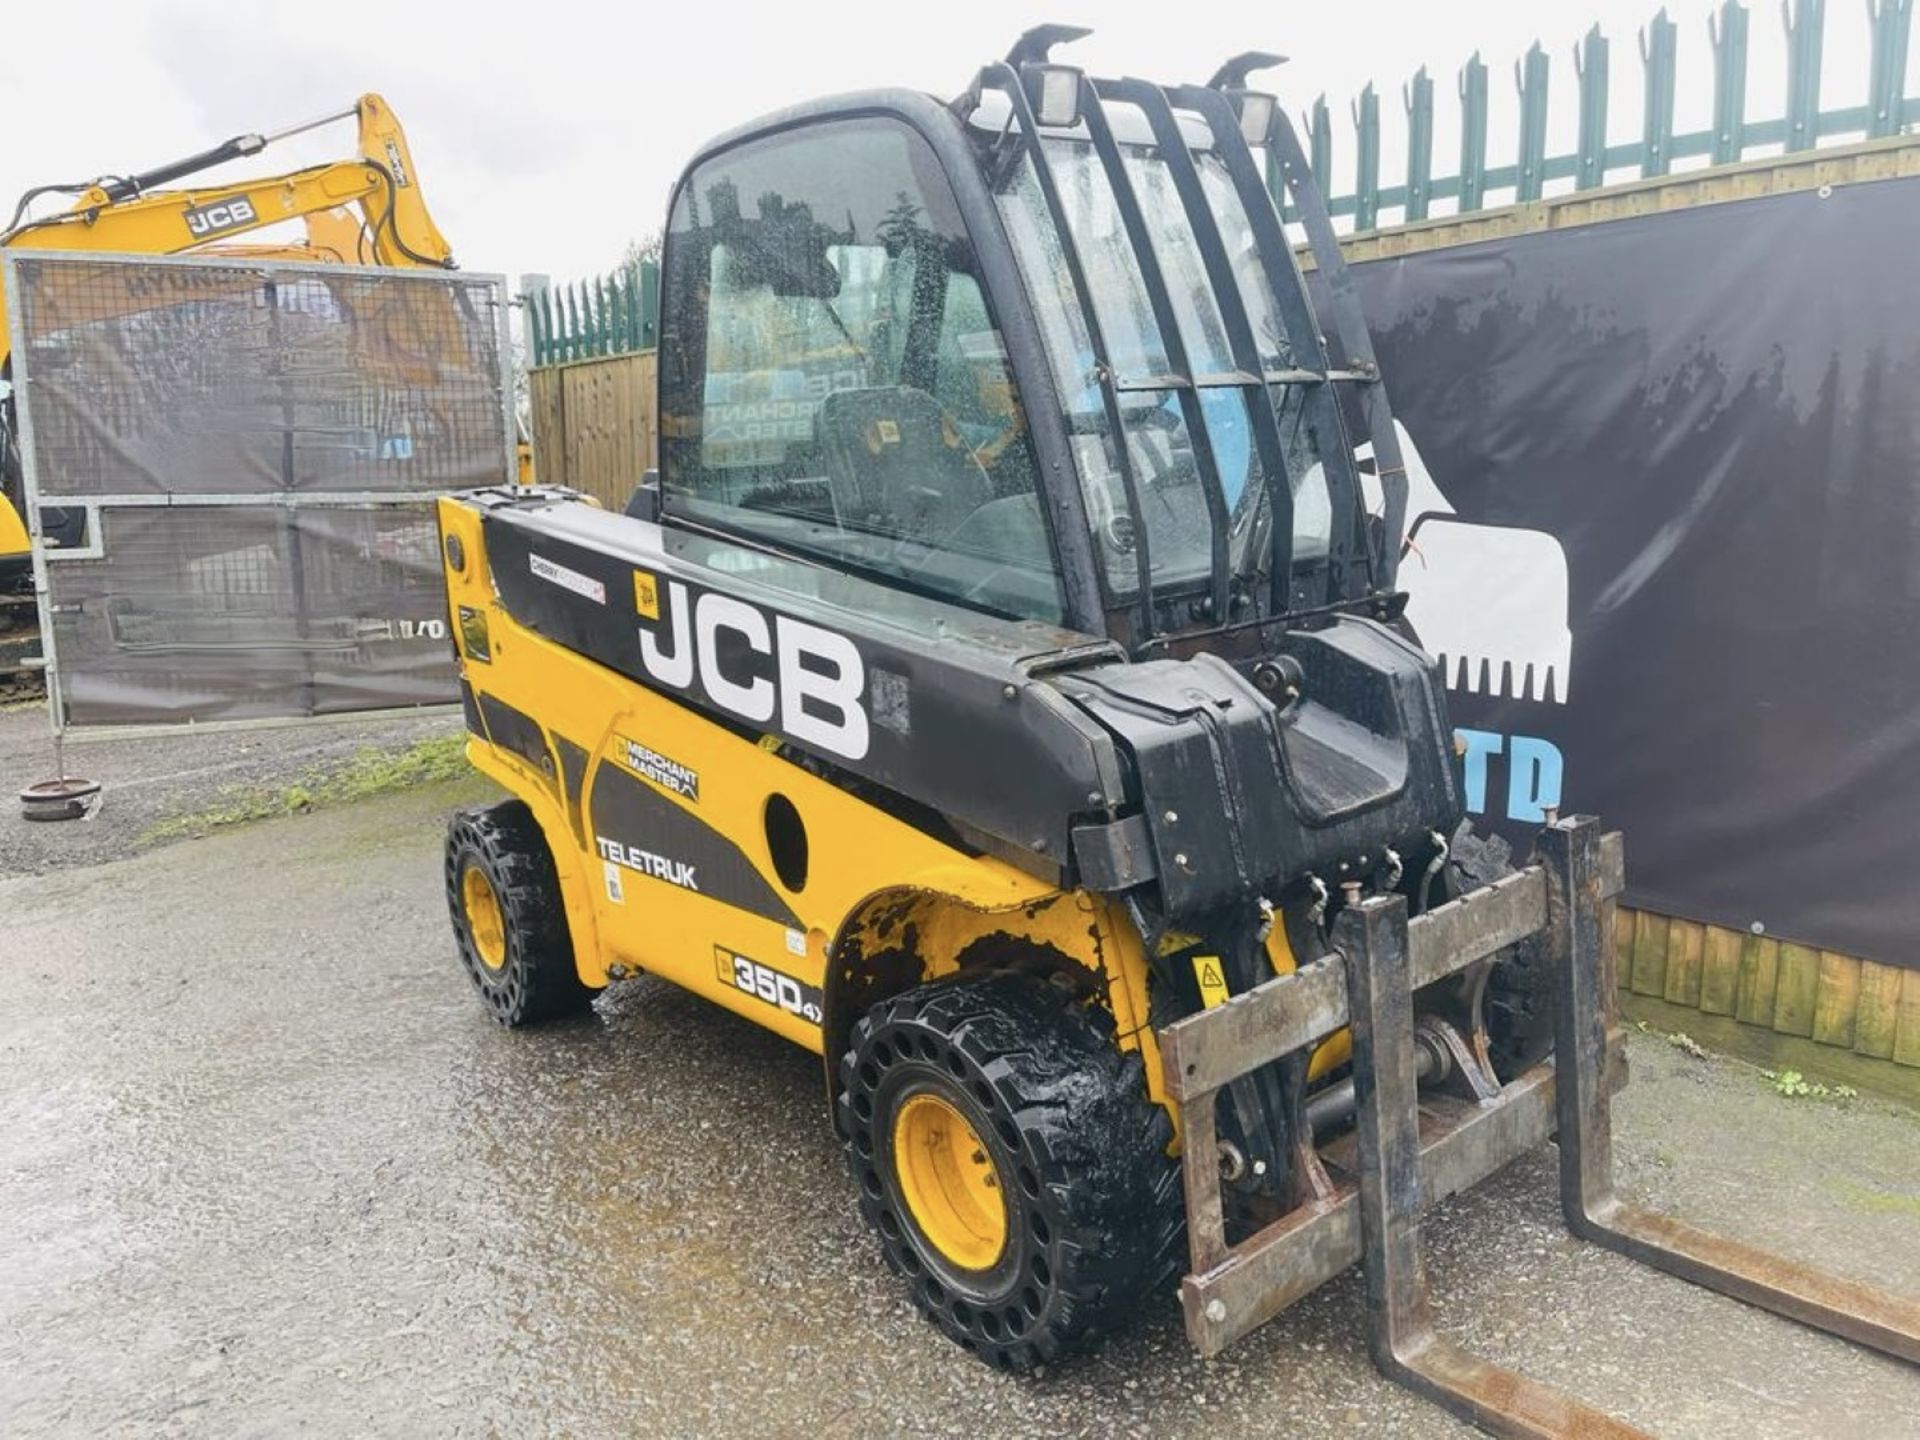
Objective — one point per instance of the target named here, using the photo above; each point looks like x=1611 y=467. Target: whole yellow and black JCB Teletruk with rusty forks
x=1003 y=692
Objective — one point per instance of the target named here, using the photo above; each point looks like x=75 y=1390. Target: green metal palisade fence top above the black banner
x=1888 y=112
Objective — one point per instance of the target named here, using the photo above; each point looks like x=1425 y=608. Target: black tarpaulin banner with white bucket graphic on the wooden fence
x=1666 y=519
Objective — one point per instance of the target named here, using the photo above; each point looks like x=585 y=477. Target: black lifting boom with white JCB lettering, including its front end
x=1042 y=746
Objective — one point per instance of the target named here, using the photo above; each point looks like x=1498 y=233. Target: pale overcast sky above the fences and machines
x=546 y=135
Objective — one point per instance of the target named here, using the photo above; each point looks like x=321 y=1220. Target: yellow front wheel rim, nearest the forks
x=949 y=1182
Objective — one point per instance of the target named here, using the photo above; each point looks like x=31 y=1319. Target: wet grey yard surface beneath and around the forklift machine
x=270 y=1170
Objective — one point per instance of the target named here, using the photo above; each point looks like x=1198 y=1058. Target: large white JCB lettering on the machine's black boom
x=759 y=667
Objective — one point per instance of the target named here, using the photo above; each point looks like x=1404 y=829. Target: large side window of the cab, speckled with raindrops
x=834 y=379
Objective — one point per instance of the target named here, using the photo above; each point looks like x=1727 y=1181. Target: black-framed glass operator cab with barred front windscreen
x=1042 y=352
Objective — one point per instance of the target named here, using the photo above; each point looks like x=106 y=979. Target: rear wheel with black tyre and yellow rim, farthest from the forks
x=519 y=955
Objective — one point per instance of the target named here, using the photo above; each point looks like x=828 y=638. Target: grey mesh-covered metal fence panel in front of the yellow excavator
x=256 y=444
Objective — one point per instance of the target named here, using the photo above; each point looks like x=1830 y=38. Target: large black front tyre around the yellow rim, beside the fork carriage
x=1095 y=1218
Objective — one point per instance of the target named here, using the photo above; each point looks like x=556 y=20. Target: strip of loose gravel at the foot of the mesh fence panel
x=162 y=777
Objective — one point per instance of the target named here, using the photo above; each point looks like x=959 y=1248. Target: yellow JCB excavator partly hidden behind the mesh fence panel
x=364 y=210
